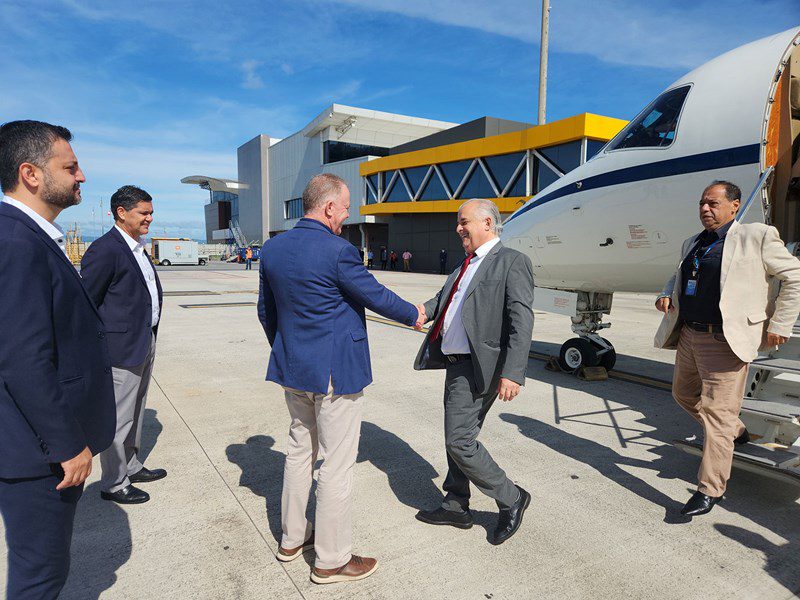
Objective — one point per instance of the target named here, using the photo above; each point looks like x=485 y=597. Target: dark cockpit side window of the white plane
x=655 y=127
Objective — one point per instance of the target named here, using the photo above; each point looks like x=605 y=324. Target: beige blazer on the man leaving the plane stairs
x=754 y=260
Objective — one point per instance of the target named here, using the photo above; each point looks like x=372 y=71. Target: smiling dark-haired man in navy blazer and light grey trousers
x=122 y=281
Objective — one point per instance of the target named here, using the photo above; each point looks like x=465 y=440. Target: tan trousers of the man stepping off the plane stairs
x=709 y=384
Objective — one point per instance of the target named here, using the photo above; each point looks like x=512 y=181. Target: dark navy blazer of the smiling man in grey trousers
x=116 y=284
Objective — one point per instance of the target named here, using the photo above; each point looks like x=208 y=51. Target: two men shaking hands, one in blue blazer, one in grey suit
x=482 y=323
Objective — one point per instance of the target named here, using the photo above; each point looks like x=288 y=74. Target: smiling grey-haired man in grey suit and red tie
x=483 y=323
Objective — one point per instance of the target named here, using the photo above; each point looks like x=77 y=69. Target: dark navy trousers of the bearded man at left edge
x=38 y=522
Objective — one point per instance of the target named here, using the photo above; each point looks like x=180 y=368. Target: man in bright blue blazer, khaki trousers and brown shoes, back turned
x=312 y=295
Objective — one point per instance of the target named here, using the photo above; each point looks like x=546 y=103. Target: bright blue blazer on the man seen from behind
x=312 y=295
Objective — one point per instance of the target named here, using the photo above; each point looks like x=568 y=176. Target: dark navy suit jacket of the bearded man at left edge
x=56 y=390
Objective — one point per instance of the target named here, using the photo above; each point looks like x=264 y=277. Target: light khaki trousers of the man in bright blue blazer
x=328 y=426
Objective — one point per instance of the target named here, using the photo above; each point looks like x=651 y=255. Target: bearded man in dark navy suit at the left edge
x=56 y=392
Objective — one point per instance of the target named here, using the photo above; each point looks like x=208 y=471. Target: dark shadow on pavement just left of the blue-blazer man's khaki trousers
x=262 y=474
